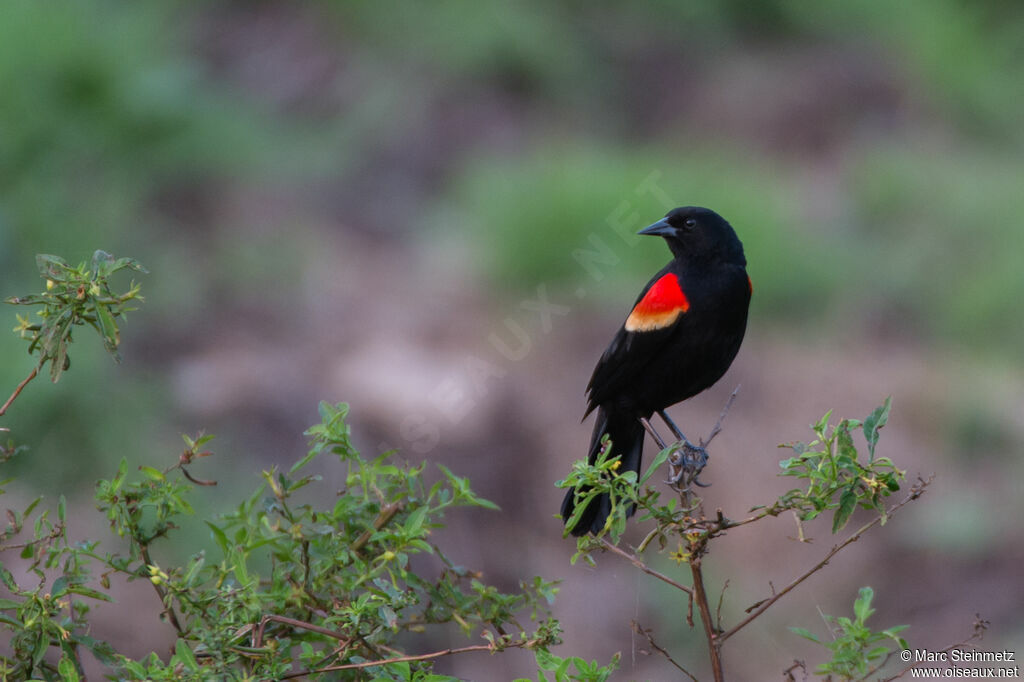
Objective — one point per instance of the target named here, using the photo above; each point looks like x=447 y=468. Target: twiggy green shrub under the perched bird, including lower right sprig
x=837 y=479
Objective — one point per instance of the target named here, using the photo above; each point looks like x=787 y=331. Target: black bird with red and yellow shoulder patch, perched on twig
x=680 y=337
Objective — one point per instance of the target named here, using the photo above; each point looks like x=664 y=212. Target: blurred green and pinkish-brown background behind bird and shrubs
x=351 y=201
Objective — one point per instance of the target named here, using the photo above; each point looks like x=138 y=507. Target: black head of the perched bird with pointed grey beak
x=699 y=233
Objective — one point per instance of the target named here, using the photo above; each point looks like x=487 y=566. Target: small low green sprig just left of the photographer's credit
x=857 y=650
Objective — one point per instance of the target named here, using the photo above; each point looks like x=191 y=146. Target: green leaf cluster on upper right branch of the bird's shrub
x=832 y=467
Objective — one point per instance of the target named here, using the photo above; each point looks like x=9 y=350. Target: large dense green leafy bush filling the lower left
x=296 y=584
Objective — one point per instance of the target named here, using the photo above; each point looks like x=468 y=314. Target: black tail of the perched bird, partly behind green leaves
x=627 y=435
